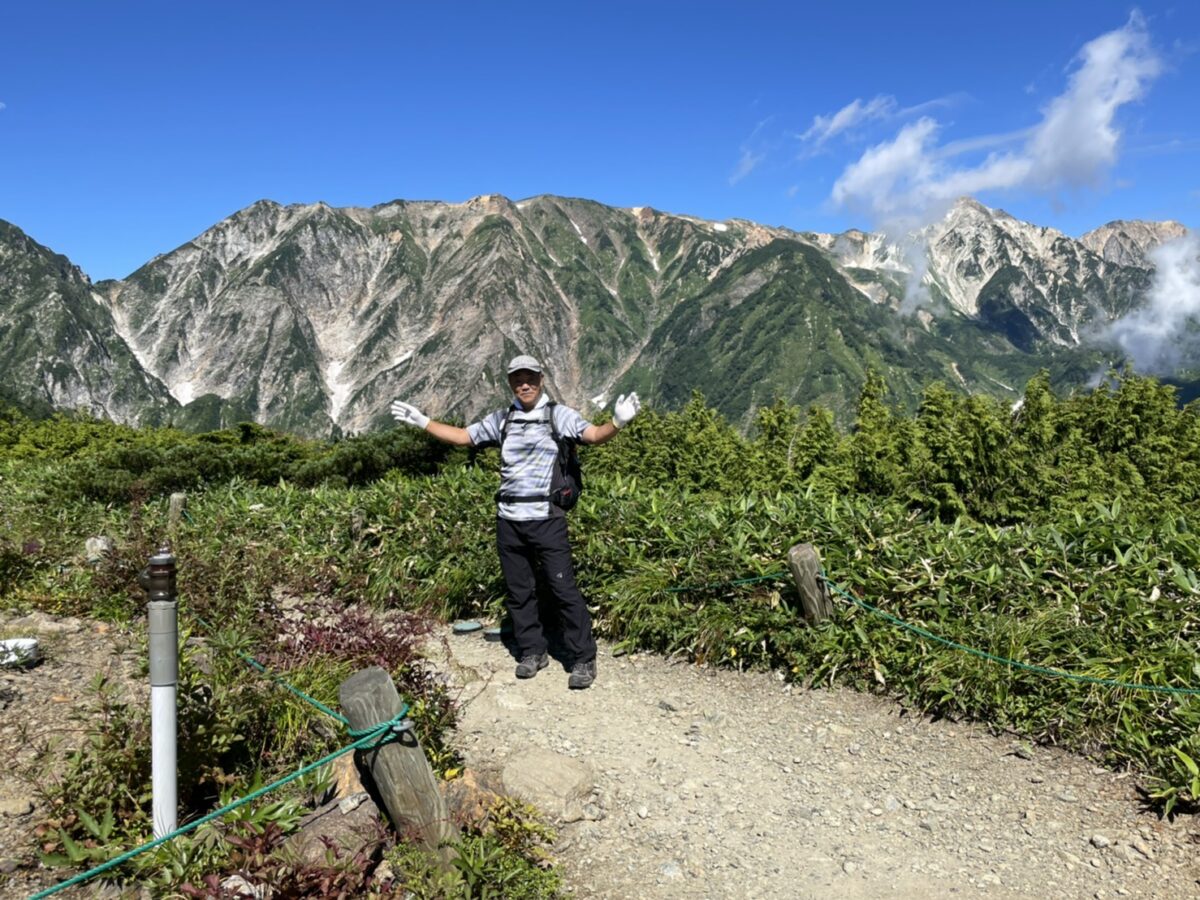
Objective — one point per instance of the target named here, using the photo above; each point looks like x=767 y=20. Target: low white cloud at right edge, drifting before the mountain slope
x=1156 y=338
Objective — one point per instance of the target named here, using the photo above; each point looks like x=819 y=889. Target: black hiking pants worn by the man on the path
x=543 y=543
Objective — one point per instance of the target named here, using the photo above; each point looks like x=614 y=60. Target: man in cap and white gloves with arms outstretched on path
x=536 y=437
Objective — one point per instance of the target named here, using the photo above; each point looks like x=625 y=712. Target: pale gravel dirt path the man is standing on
x=713 y=784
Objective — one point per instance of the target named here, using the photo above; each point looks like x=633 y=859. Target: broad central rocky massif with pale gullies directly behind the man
x=309 y=317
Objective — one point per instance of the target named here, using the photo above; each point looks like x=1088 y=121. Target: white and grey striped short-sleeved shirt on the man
x=529 y=463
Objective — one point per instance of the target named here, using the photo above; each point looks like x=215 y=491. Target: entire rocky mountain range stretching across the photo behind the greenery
x=314 y=319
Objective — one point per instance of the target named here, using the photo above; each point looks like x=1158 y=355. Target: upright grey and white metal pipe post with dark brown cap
x=159 y=581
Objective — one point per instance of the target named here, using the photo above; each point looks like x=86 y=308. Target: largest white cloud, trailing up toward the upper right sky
x=911 y=181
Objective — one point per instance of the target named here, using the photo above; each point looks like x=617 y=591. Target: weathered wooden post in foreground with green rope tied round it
x=399 y=769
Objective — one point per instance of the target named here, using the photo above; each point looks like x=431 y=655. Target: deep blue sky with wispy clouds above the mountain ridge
x=128 y=129
